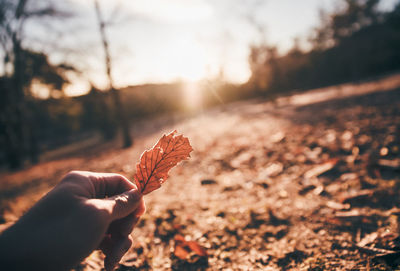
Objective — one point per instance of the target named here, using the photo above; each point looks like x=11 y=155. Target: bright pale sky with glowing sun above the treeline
x=161 y=41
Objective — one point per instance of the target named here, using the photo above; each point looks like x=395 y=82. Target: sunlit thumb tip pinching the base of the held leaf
x=124 y=204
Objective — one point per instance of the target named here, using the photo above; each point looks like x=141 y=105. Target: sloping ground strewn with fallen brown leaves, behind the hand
x=306 y=182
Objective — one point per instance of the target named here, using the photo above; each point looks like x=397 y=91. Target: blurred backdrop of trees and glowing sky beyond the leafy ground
x=77 y=70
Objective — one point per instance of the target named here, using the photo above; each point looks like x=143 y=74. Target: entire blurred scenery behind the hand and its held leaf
x=292 y=109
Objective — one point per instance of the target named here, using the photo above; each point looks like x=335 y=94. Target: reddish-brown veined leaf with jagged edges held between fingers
x=155 y=163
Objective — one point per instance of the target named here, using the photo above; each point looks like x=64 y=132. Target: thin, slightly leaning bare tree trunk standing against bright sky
x=119 y=110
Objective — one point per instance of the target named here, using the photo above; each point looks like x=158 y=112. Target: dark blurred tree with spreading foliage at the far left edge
x=20 y=67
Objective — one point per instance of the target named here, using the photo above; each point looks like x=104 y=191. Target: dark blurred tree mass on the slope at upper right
x=354 y=43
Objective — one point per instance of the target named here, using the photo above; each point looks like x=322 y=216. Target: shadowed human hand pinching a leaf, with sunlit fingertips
x=84 y=212
